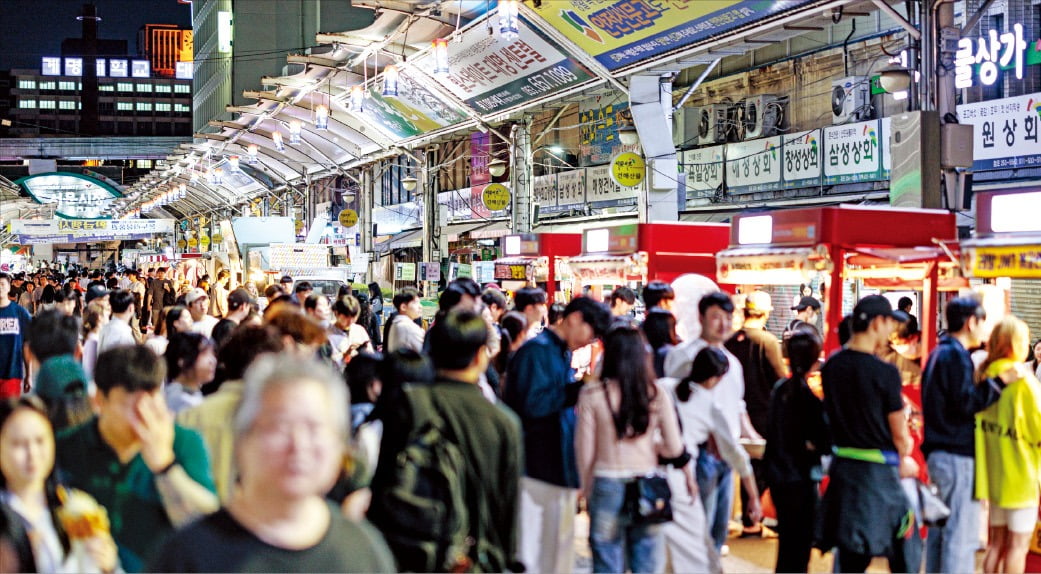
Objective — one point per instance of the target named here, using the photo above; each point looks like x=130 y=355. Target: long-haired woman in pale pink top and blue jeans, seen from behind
x=620 y=419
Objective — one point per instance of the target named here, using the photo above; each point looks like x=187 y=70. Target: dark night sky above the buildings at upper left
x=31 y=30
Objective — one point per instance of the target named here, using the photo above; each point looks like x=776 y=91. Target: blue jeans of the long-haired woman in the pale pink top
x=613 y=540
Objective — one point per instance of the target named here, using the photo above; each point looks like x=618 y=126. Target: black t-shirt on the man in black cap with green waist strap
x=860 y=393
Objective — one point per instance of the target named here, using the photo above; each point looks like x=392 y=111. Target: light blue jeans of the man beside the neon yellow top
x=953 y=547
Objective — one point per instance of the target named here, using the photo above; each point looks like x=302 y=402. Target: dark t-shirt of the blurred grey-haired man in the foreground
x=218 y=543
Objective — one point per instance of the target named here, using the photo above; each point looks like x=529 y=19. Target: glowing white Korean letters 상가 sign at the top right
x=979 y=60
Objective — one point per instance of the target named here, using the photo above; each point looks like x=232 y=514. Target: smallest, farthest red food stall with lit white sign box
x=537 y=259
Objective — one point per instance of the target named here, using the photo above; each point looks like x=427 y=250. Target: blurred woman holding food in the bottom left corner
x=29 y=487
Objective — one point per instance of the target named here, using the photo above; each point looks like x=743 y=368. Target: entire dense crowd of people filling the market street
x=151 y=428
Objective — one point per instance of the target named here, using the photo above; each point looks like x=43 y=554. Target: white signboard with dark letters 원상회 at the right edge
x=1005 y=134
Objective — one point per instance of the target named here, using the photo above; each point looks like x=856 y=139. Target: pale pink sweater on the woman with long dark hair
x=597 y=445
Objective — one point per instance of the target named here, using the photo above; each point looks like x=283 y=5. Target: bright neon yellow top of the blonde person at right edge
x=1008 y=438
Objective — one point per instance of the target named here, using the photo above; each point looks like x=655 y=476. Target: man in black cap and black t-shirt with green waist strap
x=866 y=511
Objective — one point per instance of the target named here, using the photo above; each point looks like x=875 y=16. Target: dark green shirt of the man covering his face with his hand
x=129 y=492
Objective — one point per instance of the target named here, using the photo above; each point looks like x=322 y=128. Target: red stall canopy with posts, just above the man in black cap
x=904 y=248
